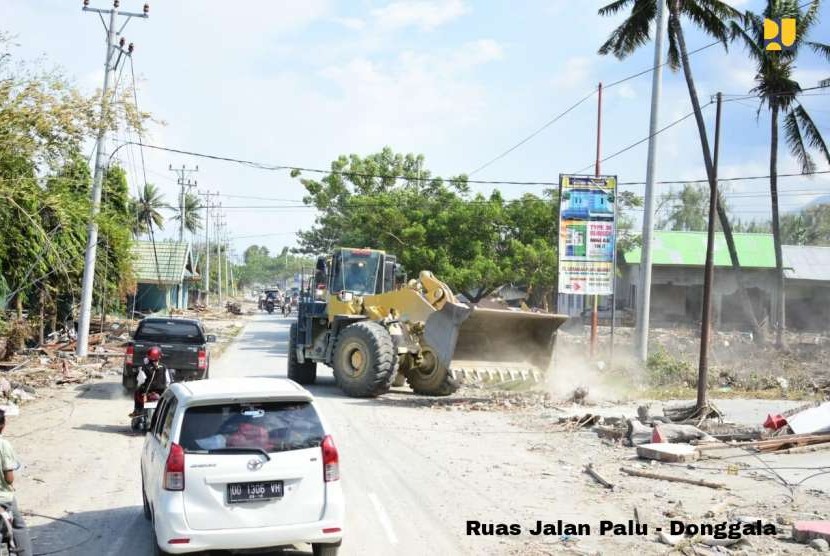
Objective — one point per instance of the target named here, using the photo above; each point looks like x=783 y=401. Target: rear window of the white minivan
x=268 y=426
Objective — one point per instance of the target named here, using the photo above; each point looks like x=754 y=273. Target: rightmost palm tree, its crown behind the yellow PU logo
x=779 y=92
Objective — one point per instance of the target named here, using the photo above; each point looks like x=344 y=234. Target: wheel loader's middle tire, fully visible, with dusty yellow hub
x=364 y=360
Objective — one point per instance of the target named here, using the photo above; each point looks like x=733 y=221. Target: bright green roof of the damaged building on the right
x=689 y=249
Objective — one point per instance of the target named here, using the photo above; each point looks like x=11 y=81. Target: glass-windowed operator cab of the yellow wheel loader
x=362 y=271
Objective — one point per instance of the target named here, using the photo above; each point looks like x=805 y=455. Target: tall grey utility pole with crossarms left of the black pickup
x=110 y=62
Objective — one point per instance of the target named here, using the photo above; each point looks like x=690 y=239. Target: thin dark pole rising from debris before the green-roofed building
x=709 y=273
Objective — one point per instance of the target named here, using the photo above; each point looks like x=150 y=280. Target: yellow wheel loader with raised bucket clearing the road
x=375 y=332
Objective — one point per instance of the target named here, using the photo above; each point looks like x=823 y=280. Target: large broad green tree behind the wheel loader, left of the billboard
x=475 y=243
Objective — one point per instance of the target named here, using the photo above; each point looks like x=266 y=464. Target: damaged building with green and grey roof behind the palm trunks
x=677 y=281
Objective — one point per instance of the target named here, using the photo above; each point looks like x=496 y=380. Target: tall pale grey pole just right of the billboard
x=644 y=297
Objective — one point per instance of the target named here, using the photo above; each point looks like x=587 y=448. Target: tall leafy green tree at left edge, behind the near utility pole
x=45 y=182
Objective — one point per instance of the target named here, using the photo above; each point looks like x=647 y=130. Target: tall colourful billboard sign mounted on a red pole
x=587 y=234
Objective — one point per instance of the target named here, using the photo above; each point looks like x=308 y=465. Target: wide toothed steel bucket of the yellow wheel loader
x=506 y=342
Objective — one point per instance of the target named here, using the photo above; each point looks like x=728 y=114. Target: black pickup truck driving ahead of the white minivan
x=183 y=344
